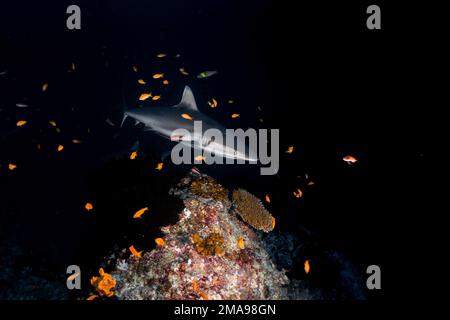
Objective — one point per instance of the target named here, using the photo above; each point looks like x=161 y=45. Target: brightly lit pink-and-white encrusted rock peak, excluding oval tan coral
x=203 y=256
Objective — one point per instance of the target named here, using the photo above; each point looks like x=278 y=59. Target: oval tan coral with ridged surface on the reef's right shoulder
x=252 y=211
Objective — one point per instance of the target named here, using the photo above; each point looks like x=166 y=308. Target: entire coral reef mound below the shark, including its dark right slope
x=212 y=252
